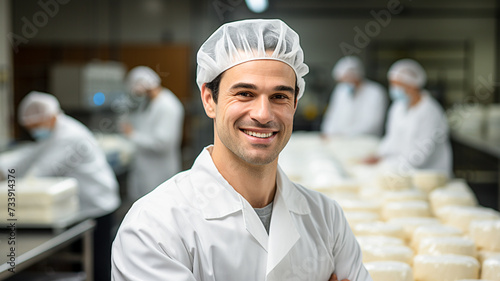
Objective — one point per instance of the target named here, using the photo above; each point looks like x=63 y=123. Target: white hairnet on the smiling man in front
x=241 y=41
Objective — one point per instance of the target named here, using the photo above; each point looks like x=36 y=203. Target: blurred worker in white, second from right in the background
x=357 y=105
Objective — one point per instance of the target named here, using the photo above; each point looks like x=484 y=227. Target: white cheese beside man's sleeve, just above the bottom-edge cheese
x=399 y=253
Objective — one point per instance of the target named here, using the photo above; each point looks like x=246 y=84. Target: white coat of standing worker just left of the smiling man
x=157 y=138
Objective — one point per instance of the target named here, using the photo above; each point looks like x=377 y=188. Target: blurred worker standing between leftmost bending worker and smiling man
x=155 y=129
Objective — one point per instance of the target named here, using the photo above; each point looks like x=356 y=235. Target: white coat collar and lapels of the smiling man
x=219 y=199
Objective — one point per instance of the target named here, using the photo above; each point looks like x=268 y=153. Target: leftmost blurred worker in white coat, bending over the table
x=66 y=148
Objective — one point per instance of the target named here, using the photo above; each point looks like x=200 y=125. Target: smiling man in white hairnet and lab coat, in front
x=235 y=215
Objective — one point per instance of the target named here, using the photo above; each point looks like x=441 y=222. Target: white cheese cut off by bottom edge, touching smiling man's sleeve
x=389 y=271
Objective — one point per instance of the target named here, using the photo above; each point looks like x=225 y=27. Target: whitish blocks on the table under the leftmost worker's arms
x=42 y=200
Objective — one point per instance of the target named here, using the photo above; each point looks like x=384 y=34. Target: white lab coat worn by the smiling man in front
x=197 y=227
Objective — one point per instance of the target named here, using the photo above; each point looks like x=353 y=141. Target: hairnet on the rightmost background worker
x=409 y=72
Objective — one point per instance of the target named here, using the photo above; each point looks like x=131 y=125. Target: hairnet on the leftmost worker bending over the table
x=37 y=107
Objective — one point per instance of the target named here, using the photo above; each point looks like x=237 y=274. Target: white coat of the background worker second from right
x=361 y=114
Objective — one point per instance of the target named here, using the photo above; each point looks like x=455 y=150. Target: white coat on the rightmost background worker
x=417 y=138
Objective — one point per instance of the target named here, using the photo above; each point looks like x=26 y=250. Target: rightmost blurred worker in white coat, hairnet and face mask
x=417 y=129
